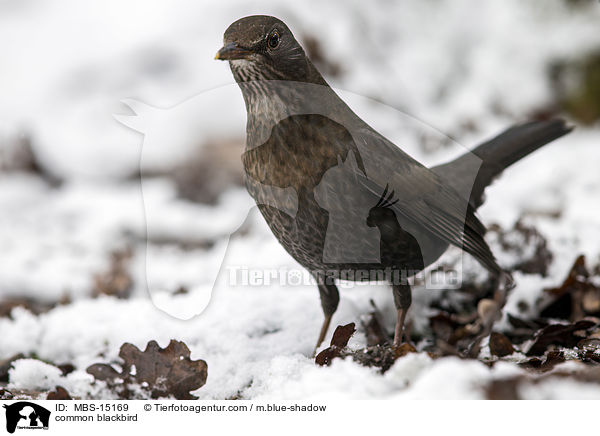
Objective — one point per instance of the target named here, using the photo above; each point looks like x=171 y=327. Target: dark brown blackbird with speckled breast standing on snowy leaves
x=343 y=200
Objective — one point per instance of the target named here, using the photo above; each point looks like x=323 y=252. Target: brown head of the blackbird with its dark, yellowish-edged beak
x=261 y=47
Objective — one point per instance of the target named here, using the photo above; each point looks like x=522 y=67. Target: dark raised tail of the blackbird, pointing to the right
x=499 y=153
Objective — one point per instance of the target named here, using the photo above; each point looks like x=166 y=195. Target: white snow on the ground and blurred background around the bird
x=73 y=277
